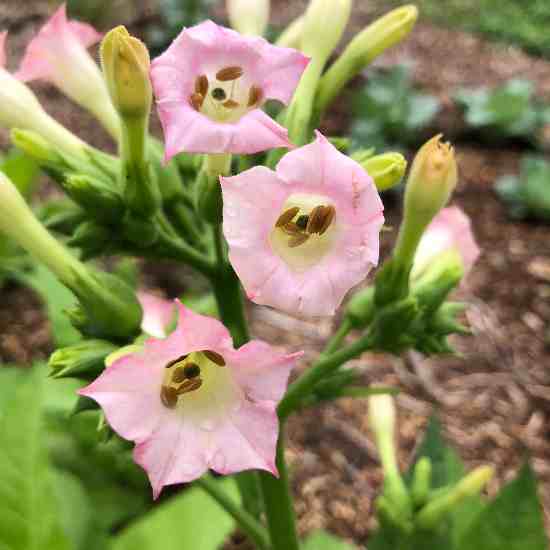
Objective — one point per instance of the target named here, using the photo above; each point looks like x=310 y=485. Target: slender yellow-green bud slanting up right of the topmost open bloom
x=384 y=33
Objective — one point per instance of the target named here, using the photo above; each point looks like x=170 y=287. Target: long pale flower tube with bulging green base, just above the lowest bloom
x=108 y=306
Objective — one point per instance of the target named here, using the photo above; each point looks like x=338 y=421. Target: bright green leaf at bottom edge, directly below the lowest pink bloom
x=190 y=521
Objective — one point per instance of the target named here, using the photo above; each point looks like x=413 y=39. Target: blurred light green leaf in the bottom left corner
x=28 y=516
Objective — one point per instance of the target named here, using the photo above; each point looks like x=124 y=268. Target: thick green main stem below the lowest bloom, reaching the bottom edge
x=278 y=503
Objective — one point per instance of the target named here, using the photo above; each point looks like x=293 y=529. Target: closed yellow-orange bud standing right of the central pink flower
x=432 y=179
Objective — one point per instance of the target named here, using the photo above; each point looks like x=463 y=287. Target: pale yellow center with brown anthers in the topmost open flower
x=226 y=95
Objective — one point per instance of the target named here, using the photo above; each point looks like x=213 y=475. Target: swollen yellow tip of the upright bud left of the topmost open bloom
x=125 y=62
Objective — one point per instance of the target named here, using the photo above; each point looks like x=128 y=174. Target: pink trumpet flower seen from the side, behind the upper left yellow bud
x=58 y=54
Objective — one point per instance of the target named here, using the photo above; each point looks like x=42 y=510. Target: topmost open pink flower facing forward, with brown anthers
x=210 y=85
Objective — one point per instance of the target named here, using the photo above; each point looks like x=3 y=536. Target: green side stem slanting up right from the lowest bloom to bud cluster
x=326 y=364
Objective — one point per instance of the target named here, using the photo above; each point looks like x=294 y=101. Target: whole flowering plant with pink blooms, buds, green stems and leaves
x=298 y=231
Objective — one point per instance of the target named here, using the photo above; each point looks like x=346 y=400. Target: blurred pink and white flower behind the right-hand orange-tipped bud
x=451 y=229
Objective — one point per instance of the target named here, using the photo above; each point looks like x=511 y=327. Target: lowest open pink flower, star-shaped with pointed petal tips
x=192 y=402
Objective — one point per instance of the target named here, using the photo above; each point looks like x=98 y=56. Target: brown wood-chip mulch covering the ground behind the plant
x=494 y=400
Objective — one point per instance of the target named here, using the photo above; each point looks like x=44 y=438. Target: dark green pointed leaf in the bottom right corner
x=512 y=521
